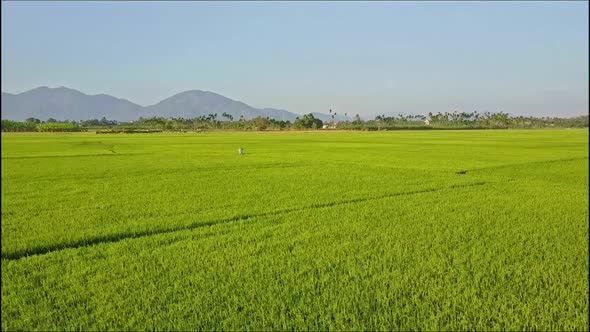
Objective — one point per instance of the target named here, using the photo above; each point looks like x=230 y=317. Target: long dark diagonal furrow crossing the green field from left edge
x=42 y=250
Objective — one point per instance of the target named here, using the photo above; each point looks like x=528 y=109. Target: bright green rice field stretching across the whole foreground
x=437 y=230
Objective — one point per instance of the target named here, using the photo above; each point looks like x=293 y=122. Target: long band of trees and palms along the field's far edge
x=455 y=120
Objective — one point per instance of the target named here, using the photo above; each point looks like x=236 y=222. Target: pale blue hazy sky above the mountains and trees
x=354 y=57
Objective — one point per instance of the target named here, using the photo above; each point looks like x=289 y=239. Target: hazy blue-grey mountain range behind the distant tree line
x=68 y=104
